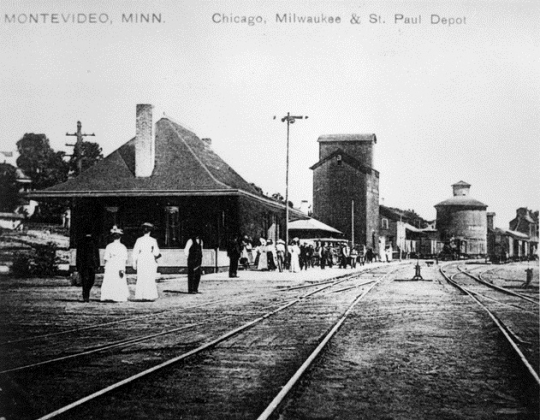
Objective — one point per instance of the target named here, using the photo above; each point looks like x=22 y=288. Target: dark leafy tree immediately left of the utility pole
x=40 y=162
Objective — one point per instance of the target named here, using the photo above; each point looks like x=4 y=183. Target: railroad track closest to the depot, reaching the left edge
x=71 y=343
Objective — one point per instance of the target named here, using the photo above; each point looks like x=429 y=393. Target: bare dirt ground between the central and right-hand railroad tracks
x=417 y=350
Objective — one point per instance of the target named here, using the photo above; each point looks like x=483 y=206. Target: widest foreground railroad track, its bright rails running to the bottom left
x=204 y=330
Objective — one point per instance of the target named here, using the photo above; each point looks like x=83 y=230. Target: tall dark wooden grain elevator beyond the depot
x=346 y=187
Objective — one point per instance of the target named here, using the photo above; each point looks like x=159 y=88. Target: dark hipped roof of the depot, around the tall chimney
x=184 y=164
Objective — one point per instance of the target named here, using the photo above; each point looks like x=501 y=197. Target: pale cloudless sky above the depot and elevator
x=446 y=102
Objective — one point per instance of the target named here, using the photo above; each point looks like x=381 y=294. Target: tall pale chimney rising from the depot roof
x=144 y=142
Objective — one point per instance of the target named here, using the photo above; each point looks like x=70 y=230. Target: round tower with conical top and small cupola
x=462 y=221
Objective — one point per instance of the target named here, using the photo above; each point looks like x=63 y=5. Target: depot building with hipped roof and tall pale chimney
x=174 y=180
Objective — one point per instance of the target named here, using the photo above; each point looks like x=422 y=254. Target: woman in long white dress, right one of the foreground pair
x=145 y=255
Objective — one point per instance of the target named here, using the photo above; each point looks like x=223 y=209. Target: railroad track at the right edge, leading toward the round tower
x=515 y=314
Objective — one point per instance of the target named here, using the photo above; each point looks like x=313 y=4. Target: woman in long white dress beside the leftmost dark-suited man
x=114 y=286
